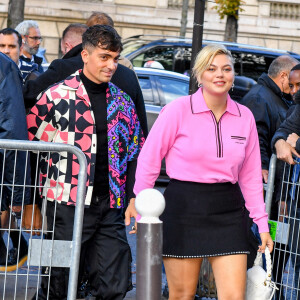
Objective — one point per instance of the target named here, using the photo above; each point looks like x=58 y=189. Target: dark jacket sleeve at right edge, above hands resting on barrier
x=290 y=125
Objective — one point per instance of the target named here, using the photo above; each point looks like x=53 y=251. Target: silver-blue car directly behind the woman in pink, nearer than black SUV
x=160 y=87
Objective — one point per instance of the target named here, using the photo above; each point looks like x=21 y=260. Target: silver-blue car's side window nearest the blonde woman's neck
x=173 y=88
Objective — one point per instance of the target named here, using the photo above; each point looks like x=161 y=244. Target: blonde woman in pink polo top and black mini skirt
x=212 y=154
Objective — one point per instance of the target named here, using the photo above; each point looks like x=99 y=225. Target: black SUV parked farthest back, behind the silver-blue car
x=175 y=54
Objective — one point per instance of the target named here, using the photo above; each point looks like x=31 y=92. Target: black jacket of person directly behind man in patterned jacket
x=60 y=69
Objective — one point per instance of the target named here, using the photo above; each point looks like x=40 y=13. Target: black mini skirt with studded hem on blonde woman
x=204 y=220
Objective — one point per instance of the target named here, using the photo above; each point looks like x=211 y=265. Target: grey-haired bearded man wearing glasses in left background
x=31 y=37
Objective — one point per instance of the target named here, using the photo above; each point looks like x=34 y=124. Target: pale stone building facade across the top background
x=270 y=23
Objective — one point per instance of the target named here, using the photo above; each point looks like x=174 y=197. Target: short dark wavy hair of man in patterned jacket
x=103 y=36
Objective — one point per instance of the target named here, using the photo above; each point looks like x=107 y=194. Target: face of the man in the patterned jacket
x=99 y=64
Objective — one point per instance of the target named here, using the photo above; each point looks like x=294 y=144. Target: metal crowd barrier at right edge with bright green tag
x=286 y=230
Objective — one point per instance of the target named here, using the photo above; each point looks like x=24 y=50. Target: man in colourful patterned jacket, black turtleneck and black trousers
x=88 y=111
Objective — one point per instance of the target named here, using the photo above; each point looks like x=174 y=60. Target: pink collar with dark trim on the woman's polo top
x=198 y=104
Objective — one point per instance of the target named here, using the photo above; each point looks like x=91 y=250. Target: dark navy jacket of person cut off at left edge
x=12 y=126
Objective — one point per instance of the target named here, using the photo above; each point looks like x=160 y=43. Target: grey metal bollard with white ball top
x=149 y=204
